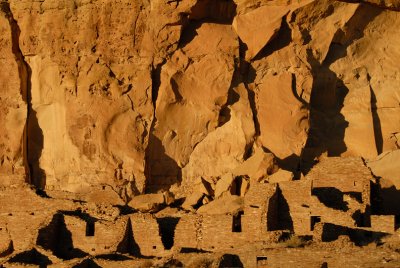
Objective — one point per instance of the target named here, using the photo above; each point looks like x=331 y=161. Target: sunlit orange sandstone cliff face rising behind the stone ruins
x=145 y=96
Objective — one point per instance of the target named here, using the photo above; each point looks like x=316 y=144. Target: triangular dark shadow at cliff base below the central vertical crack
x=161 y=170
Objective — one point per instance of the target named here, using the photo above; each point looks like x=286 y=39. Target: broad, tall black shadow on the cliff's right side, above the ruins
x=327 y=123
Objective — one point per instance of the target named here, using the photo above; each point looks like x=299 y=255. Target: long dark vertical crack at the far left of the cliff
x=32 y=143
